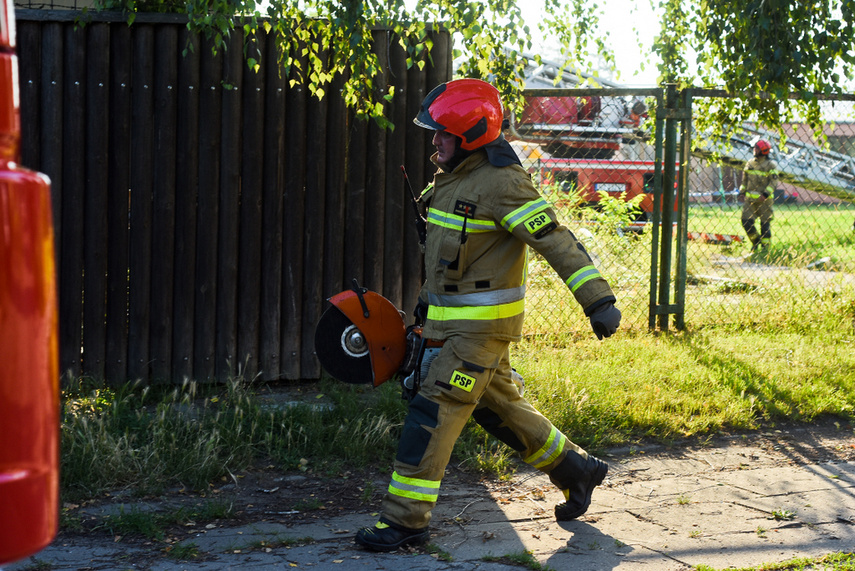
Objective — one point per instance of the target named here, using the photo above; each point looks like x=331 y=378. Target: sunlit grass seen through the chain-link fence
x=813 y=249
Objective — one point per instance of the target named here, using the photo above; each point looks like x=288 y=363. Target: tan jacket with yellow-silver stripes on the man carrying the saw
x=480 y=218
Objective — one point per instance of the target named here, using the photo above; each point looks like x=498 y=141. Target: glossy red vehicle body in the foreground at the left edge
x=29 y=369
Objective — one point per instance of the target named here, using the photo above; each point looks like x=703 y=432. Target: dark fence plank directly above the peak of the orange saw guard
x=375 y=190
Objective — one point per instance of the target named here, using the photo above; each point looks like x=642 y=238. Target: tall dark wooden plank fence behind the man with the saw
x=204 y=212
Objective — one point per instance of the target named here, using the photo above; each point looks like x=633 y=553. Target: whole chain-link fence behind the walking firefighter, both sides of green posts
x=594 y=158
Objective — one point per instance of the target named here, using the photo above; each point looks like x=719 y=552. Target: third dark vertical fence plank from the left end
x=73 y=196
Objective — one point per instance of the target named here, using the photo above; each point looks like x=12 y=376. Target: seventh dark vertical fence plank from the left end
x=165 y=90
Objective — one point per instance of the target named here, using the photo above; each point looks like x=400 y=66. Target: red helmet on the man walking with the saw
x=468 y=108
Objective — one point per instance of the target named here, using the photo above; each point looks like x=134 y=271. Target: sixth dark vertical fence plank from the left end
x=142 y=164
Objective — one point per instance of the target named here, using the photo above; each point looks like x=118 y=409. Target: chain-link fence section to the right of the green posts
x=811 y=254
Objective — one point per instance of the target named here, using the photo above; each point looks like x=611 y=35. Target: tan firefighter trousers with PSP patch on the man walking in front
x=469 y=377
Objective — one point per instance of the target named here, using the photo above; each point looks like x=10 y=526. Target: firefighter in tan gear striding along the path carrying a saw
x=482 y=213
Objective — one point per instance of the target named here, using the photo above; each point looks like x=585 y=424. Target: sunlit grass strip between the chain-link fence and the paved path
x=670 y=387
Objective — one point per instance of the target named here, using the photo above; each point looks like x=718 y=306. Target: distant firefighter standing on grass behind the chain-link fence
x=758 y=192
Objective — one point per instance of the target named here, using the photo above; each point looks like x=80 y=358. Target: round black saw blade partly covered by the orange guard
x=342 y=348
